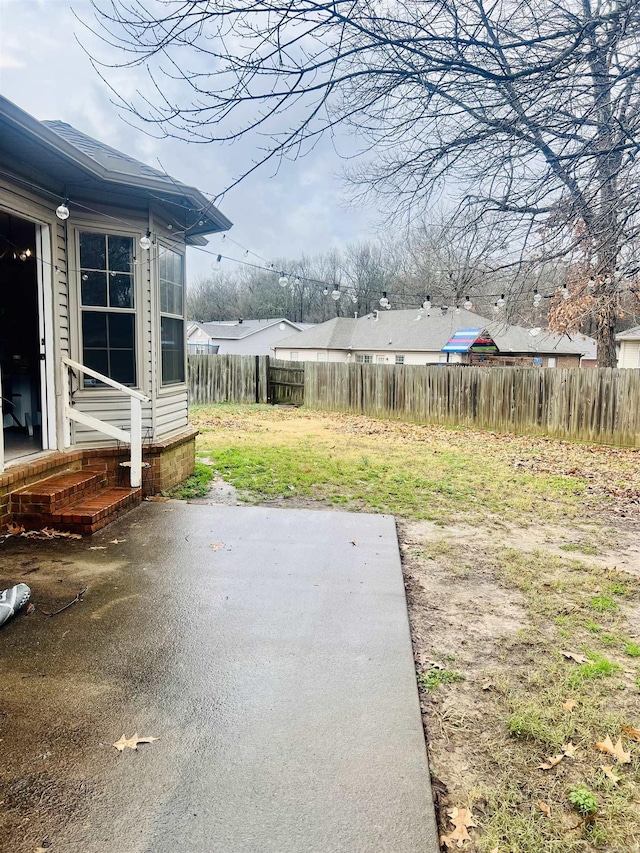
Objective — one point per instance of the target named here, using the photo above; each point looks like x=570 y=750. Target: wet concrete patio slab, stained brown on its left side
x=268 y=650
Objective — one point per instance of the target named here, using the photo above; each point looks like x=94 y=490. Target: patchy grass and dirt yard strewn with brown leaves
x=522 y=569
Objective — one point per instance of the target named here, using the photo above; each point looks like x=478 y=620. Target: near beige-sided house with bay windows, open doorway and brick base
x=92 y=273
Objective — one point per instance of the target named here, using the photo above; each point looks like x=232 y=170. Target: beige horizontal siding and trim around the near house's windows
x=167 y=413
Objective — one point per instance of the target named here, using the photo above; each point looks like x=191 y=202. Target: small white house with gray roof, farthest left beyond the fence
x=242 y=337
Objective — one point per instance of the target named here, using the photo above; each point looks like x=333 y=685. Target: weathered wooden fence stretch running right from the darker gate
x=588 y=405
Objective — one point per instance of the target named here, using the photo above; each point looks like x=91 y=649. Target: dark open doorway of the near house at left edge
x=19 y=344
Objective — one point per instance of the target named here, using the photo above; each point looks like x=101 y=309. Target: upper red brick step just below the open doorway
x=54 y=493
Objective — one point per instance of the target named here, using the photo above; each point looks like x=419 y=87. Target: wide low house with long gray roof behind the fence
x=411 y=337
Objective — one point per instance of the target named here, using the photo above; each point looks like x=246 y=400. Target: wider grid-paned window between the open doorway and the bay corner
x=108 y=310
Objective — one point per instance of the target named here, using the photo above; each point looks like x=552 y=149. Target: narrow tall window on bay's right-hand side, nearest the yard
x=172 y=316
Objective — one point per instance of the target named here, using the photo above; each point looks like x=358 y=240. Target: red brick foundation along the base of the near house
x=169 y=462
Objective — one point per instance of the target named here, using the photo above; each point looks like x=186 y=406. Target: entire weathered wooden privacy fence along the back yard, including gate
x=599 y=405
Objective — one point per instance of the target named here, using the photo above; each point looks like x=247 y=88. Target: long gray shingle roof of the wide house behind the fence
x=401 y=331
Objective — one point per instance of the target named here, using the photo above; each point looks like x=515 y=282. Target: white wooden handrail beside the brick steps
x=133 y=437
